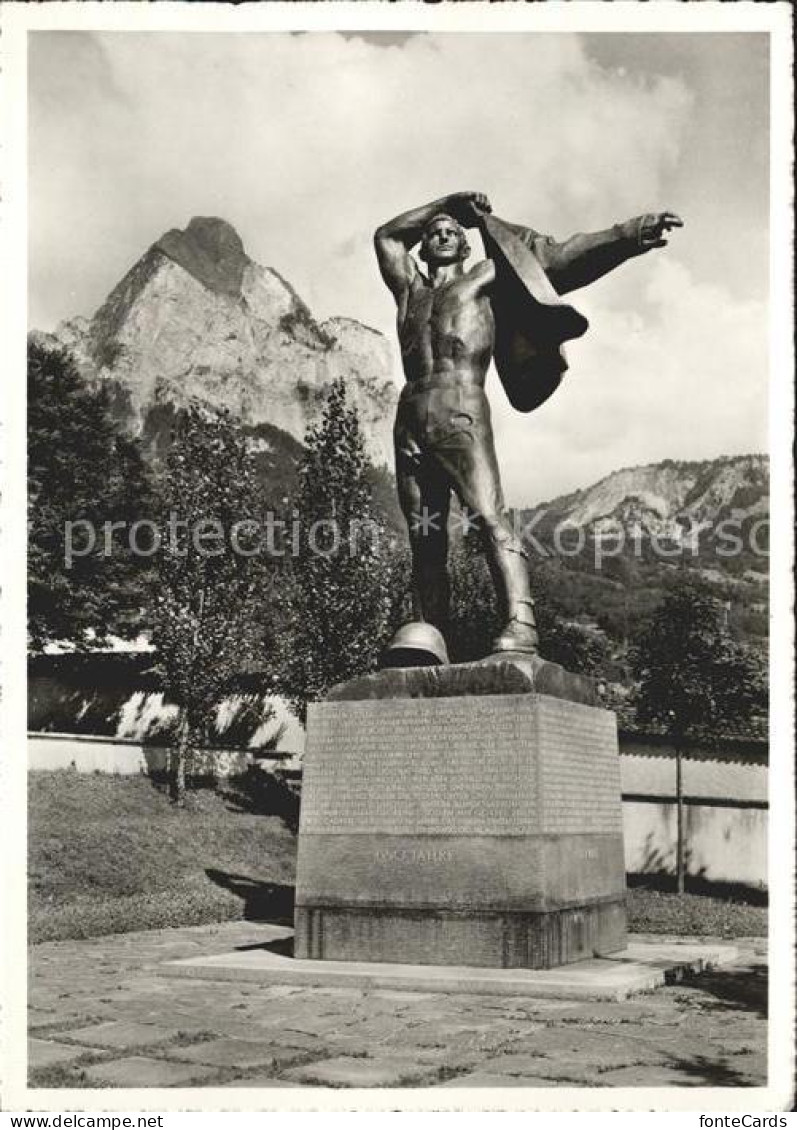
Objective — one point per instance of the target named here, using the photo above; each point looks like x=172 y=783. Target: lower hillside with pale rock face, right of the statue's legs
x=628 y=538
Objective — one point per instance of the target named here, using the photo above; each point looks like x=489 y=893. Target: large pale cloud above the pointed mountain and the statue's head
x=306 y=143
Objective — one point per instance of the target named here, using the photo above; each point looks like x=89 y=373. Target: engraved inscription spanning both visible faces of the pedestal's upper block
x=493 y=766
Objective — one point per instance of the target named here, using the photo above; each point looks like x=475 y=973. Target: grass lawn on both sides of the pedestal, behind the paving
x=108 y=855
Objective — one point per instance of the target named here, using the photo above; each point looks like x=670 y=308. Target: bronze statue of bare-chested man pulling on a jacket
x=452 y=324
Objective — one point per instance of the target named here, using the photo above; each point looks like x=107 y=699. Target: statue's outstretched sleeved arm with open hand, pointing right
x=587 y=257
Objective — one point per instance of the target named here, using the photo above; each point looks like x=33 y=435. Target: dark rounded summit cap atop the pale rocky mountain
x=211 y=250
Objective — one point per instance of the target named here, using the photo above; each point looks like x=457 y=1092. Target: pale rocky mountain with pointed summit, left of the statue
x=196 y=320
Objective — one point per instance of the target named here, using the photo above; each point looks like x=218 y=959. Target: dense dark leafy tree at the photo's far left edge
x=85 y=584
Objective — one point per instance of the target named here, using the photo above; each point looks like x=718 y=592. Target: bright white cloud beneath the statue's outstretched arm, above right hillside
x=669 y=369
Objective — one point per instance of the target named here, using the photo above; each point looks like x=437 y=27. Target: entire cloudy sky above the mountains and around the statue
x=307 y=142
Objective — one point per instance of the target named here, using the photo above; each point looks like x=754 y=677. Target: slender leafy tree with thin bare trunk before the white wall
x=211 y=572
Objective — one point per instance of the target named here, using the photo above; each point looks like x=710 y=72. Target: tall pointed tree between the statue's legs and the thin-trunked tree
x=346 y=579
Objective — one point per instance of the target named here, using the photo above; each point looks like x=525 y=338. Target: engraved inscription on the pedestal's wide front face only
x=423 y=767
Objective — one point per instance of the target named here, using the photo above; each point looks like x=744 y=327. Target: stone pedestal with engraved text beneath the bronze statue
x=467 y=815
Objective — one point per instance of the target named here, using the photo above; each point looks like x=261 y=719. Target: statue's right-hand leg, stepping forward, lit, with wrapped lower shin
x=469 y=458
